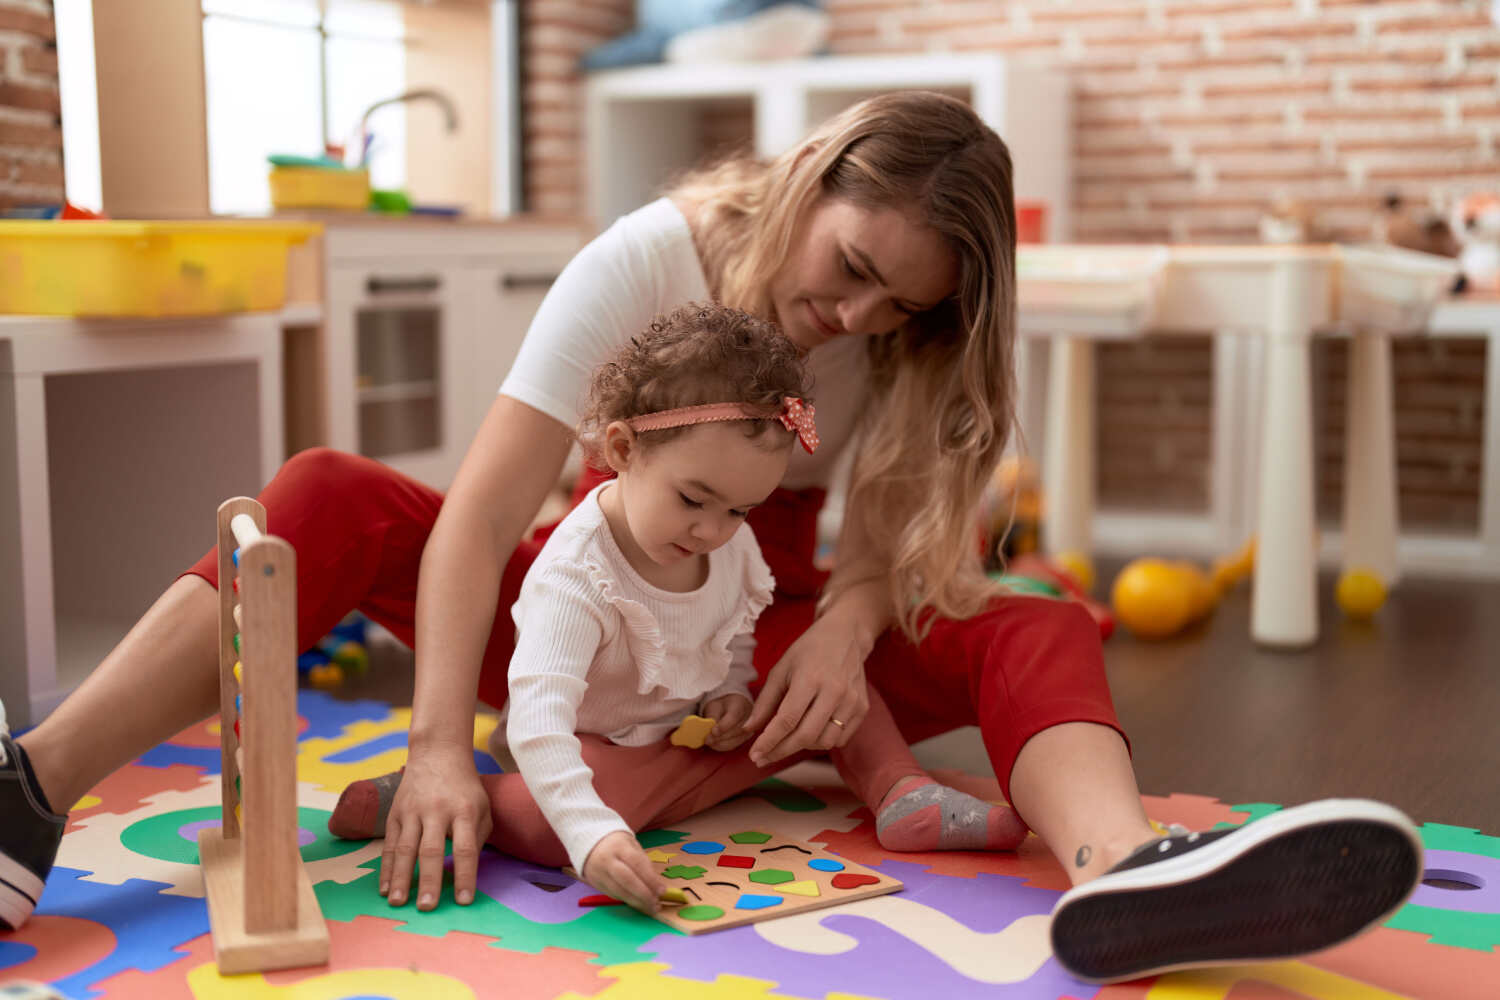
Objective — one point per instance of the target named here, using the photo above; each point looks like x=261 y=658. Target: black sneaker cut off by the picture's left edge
x=29 y=839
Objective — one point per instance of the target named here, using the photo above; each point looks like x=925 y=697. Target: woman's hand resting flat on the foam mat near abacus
x=440 y=797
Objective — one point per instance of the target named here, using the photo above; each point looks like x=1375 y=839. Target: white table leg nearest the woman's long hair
x=1069 y=451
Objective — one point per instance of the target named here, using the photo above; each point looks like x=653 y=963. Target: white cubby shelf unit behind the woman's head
x=644 y=124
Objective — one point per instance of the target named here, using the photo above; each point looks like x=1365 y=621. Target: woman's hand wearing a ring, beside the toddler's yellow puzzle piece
x=820 y=680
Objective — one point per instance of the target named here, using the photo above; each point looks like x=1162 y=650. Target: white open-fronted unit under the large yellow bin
x=118 y=442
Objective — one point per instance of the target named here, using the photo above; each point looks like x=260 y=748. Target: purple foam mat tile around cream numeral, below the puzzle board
x=884 y=963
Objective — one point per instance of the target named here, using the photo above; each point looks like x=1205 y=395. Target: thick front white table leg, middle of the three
x=1285 y=596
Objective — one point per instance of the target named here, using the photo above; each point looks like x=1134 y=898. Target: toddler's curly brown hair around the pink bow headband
x=700 y=353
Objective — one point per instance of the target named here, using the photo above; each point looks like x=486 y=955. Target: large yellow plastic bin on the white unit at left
x=146 y=269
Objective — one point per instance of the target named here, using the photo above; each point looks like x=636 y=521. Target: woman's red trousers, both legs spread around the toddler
x=1021 y=666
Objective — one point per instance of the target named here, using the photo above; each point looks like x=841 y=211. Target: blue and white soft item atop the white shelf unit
x=716 y=31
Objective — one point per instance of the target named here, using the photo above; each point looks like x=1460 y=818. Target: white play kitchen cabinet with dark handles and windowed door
x=422 y=323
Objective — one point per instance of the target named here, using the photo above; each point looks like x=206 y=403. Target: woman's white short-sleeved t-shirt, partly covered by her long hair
x=644 y=266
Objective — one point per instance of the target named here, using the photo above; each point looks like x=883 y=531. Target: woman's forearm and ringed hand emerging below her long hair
x=821 y=677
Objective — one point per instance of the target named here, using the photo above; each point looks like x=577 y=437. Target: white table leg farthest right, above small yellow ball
x=1370 y=460
